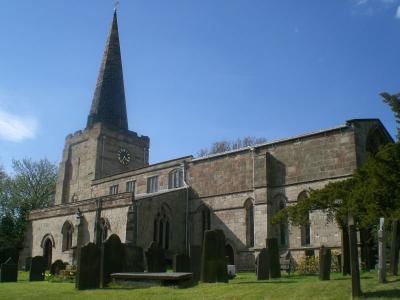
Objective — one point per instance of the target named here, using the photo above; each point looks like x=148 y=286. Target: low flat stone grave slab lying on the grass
x=147 y=279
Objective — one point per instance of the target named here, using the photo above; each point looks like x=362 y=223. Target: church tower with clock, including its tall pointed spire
x=106 y=146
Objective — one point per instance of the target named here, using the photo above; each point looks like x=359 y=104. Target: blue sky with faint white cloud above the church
x=195 y=71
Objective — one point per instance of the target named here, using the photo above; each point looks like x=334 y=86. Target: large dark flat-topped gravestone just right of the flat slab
x=213 y=264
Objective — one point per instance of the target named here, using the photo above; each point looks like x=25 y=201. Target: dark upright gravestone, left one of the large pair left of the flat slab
x=88 y=270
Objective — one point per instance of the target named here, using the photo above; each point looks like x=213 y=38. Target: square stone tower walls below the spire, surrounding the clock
x=93 y=154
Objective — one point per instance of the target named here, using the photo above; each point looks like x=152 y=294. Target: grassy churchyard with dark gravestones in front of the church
x=117 y=270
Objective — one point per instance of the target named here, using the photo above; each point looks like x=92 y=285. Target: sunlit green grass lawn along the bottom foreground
x=244 y=286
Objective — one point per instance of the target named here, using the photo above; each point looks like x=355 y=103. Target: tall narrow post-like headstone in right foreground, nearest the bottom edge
x=355 y=271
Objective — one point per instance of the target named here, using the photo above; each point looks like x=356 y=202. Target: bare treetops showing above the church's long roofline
x=224 y=145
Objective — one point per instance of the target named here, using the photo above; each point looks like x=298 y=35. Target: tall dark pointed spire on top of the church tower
x=108 y=105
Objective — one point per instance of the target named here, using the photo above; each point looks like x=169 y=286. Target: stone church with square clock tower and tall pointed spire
x=105 y=175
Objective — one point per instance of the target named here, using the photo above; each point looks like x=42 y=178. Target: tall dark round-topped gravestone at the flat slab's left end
x=112 y=259
